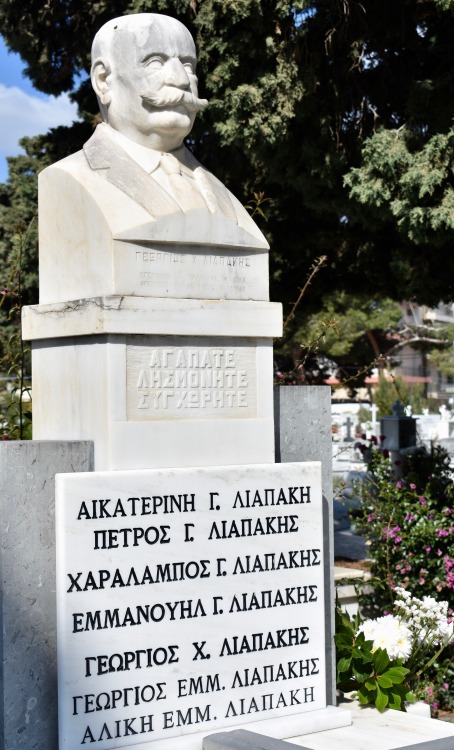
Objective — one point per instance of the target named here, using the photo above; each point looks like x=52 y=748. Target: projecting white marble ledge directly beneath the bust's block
x=144 y=315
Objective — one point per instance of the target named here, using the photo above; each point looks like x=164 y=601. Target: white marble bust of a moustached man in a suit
x=134 y=181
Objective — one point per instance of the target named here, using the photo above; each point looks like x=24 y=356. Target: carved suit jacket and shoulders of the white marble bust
x=98 y=204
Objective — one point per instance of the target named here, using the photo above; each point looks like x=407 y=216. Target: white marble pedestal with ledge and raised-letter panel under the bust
x=156 y=382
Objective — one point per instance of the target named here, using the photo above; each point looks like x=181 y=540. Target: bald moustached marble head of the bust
x=143 y=73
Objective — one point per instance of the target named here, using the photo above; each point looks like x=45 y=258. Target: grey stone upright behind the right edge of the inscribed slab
x=302 y=425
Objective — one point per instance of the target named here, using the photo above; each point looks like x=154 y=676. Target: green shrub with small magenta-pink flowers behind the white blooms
x=409 y=524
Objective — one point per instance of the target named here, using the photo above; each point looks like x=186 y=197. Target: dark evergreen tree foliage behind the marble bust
x=339 y=111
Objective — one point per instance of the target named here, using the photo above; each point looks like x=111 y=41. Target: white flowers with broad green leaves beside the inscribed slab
x=382 y=660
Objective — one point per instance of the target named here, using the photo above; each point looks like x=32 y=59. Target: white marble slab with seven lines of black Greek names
x=188 y=600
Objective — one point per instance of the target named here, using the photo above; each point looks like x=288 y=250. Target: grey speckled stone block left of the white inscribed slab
x=28 y=672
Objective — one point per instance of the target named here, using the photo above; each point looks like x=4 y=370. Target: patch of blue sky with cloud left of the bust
x=23 y=110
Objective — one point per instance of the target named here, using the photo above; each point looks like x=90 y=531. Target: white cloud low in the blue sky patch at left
x=22 y=114
